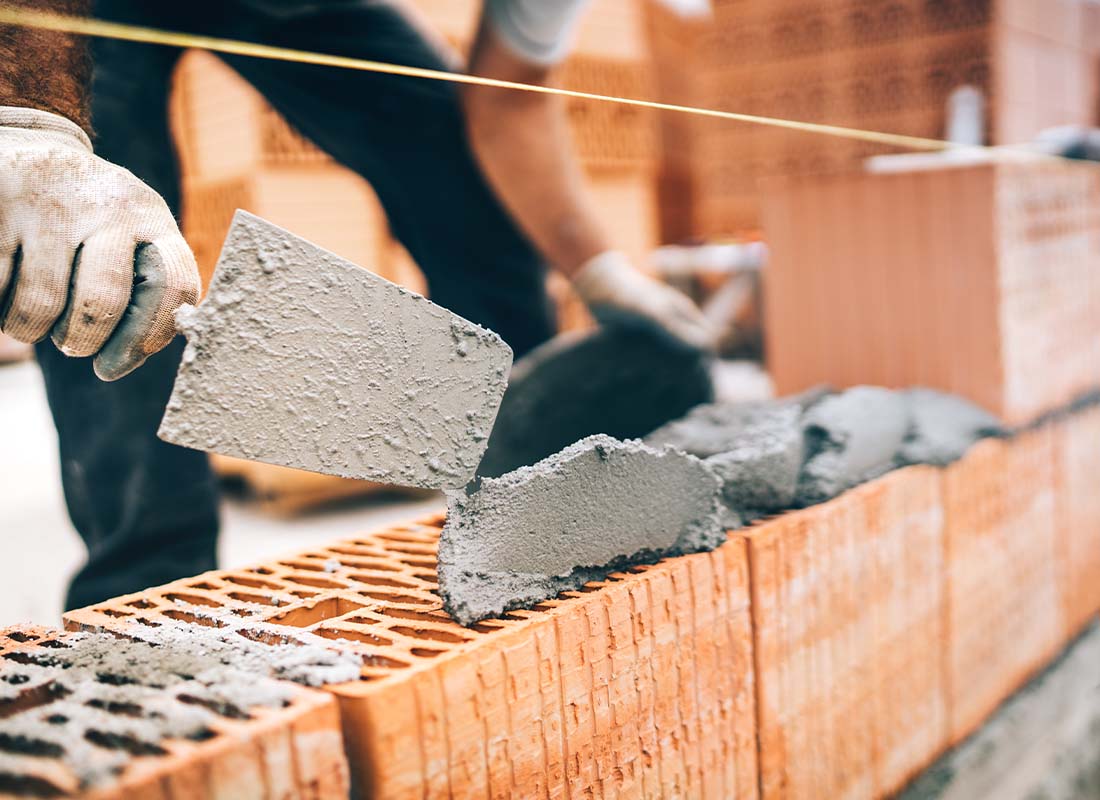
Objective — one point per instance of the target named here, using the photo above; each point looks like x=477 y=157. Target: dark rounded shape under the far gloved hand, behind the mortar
x=620 y=381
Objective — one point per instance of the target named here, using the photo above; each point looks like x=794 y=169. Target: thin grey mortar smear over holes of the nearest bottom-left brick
x=172 y=686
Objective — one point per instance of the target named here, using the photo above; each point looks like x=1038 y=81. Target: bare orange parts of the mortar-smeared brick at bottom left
x=293 y=752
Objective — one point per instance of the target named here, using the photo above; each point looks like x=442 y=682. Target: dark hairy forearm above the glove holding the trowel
x=43 y=70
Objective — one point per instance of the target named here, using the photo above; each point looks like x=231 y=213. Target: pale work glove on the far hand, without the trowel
x=618 y=293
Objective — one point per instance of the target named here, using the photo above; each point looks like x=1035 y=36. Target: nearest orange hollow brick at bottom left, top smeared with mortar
x=254 y=752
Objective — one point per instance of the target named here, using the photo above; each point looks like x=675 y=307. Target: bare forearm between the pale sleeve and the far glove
x=523 y=145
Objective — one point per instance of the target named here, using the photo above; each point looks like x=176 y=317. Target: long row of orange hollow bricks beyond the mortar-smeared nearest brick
x=855 y=641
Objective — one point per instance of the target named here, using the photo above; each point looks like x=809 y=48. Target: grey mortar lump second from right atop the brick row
x=850 y=439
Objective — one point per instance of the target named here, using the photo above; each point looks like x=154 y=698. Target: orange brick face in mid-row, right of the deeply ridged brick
x=848 y=600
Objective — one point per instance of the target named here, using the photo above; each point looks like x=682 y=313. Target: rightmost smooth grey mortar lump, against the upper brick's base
x=943 y=428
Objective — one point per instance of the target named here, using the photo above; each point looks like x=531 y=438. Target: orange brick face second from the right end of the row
x=1005 y=609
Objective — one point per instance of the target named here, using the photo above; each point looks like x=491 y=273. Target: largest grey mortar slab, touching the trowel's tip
x=597 y=507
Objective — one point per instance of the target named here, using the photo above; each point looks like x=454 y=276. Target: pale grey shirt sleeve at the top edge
x=538 y=31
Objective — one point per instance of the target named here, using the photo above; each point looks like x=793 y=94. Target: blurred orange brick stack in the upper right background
x=887 y=65
